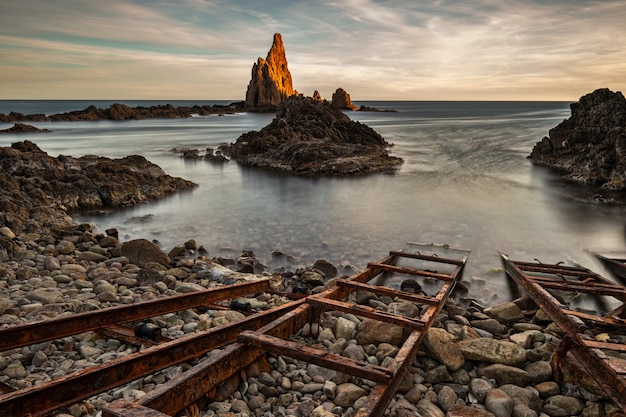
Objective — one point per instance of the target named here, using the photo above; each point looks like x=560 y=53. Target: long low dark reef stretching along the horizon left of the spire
x=119 y=111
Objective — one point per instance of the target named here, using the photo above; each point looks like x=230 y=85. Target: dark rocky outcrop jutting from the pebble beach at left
x=35 y=186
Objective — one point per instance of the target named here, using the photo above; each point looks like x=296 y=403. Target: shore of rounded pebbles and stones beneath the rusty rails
x=474 y=361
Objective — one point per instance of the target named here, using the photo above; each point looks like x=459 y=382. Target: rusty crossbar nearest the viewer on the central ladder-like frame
x=316 y=356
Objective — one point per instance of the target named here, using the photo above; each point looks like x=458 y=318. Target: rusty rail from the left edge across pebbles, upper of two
x=41 y=331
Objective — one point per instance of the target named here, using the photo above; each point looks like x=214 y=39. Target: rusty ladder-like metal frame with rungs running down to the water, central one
x=181 y=392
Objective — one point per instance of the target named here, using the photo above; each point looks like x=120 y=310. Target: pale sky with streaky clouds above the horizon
x=376 y=50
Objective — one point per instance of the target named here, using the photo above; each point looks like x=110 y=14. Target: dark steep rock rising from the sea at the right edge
x=591 y=145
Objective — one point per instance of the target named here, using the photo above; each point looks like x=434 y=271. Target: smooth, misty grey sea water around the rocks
x=466 y=182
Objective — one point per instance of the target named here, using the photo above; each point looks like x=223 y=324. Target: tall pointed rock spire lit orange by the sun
x=271 y=80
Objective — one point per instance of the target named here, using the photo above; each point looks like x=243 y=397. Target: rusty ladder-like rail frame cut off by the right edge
x=608 y=372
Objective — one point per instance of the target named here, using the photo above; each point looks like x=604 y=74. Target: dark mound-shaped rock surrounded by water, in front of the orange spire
x=308 y=137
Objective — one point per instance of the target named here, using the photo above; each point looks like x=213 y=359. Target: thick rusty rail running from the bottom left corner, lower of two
x=66 y=390
